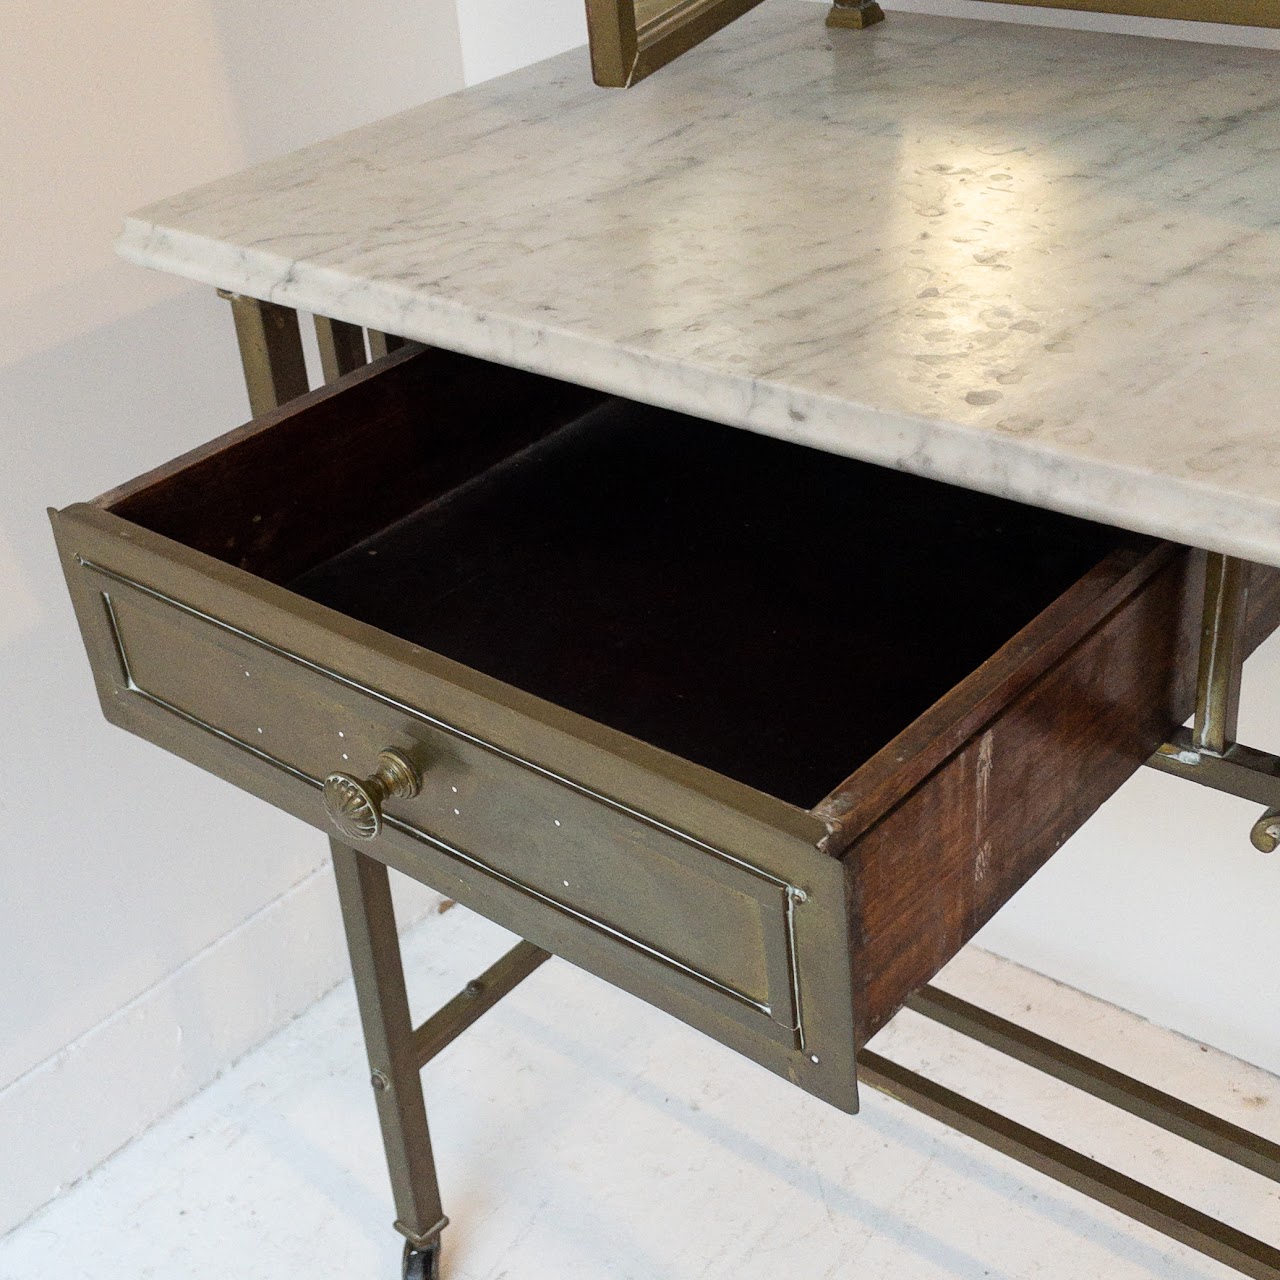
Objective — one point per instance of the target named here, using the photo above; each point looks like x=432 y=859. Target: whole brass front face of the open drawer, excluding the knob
x=701 y=930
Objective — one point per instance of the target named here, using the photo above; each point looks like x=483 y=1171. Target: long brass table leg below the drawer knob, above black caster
x=369 y=918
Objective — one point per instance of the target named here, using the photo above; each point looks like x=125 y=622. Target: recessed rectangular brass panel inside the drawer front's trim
x=580 y=856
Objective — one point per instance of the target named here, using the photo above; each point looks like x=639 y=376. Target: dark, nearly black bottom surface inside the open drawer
x=767 y=611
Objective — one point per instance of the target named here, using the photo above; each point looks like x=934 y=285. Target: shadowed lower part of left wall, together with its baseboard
x=154 y=922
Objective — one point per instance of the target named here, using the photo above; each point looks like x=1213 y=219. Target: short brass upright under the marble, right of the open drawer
x=1218 y=691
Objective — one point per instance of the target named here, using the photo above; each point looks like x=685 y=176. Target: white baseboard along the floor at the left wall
x=63 y=1118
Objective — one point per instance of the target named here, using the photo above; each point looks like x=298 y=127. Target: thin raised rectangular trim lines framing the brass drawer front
x=793 y=895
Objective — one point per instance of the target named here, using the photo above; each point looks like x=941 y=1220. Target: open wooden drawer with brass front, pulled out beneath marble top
x=760 y=734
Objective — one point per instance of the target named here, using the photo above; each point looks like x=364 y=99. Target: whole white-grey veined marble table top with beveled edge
x=1039 y=263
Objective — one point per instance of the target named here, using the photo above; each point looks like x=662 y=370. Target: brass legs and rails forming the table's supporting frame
x=397 y=1050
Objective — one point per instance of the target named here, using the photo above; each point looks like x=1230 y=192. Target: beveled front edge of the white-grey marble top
x=1186 y=511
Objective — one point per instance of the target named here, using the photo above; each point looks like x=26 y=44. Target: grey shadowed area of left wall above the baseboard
x=98 y=904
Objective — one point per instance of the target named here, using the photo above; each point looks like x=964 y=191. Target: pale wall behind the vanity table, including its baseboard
x=152 y=934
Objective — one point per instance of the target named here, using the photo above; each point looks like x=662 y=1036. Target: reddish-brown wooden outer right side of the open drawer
x=941 y=862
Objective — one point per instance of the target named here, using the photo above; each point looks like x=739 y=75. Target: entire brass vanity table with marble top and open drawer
x=749 y=524
